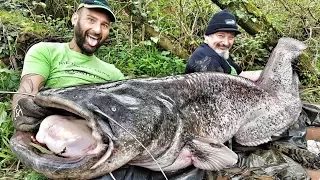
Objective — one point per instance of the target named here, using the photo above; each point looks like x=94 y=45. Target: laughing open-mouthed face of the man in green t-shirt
x=91 y=29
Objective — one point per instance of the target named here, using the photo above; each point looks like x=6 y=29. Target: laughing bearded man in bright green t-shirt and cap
x=57 y=65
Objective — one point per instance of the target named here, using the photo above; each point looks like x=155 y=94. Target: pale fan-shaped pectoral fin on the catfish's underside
x=211 y=156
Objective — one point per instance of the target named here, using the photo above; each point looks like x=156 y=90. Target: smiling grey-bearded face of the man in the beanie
x=221 y=42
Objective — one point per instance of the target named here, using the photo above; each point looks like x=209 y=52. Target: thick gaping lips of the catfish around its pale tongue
x=55 y=163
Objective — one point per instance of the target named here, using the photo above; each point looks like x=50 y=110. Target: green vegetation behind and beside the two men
x=24 y=23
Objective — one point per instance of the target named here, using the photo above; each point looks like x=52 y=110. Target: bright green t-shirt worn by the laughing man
x=62 y=67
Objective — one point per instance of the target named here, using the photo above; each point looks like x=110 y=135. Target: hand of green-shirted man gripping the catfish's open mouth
x=27 y=115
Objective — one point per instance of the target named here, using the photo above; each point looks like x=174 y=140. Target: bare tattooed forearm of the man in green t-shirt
x=30 y=83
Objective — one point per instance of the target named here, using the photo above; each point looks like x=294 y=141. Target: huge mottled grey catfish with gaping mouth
x=181 y=120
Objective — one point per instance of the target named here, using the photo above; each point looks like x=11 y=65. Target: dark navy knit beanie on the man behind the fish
x=222 y=21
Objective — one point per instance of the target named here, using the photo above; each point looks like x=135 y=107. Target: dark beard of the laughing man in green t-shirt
x=80 y=37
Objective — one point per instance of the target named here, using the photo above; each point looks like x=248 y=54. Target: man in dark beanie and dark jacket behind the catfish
x=213 y=53
